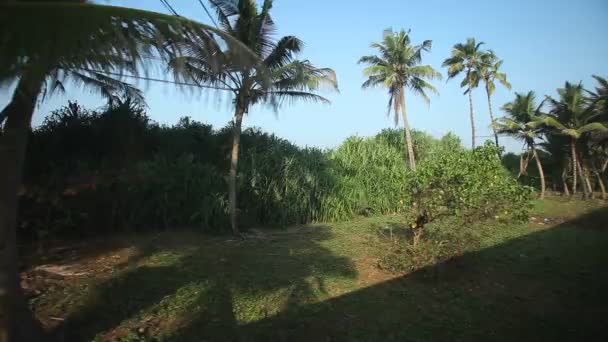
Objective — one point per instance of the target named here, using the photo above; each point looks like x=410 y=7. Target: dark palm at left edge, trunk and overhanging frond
x=39 y=52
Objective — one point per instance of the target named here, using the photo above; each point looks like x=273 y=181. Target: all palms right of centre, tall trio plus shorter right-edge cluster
x=572 y=131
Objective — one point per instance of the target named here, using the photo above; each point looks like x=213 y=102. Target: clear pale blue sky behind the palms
x=543 y=43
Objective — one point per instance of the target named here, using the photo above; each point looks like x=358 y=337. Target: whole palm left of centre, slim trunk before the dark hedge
x=289 y=79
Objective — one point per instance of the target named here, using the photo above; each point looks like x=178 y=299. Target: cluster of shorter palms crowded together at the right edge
x=571 y=129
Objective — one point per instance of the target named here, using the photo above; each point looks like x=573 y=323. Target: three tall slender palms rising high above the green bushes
x=397 y=68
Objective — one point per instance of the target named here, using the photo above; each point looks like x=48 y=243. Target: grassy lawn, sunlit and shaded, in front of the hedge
x=545 y=280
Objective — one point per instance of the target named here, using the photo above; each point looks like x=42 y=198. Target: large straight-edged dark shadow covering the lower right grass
x=547 y=286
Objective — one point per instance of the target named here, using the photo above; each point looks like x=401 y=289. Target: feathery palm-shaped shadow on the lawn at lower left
x=192 y=287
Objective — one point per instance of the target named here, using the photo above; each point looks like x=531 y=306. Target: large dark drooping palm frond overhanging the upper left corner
x=108 y=38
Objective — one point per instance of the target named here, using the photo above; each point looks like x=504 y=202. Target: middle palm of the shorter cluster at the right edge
x=571 y=117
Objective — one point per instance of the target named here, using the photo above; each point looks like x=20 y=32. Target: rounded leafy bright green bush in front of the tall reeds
x=471 y=184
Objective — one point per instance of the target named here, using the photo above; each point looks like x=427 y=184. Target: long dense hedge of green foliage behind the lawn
x=115 y=170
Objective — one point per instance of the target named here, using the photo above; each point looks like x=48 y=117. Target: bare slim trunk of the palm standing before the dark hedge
x=234 y=161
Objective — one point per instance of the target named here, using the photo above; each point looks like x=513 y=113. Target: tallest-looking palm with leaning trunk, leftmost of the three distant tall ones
x=397 y=67
